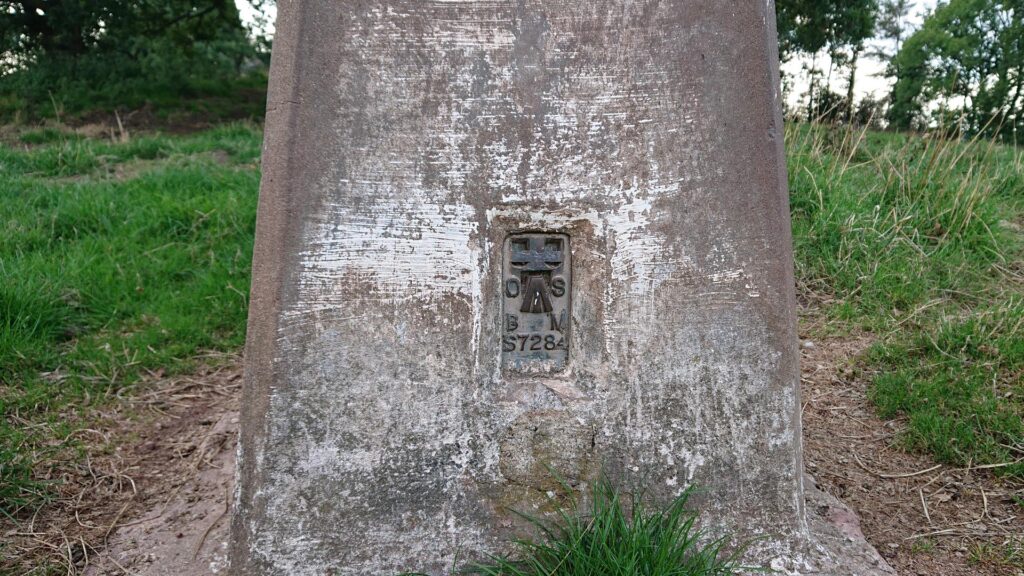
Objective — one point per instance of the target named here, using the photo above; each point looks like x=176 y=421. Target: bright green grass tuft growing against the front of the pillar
x=618 y=537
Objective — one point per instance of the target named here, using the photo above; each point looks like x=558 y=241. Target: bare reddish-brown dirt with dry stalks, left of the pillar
x=150 y=498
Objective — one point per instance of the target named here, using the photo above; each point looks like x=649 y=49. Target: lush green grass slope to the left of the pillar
x=115 y=259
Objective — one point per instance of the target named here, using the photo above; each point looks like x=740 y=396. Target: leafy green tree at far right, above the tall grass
x=964 y=69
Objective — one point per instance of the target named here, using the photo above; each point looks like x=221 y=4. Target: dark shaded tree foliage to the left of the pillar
x=118 y=50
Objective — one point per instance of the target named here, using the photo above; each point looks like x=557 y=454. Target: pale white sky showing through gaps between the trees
x=870 y=79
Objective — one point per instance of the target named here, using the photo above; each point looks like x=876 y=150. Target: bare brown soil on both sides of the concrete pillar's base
x=152 y=499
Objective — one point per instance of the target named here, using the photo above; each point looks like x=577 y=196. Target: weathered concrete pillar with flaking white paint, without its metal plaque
x=405 y=142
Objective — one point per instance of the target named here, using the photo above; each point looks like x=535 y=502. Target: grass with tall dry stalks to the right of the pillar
x=919 y=241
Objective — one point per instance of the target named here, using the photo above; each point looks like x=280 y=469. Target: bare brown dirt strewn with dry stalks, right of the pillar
x=924 y=518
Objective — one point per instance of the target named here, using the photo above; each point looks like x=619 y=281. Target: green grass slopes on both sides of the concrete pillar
x=122 y=258
